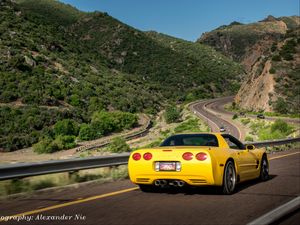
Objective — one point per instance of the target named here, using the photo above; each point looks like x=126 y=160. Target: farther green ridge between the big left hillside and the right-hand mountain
x=217 y=67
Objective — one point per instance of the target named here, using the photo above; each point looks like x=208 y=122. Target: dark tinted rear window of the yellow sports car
x=191 y=140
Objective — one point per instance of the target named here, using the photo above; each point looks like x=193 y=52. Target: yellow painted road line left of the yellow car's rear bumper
x=71 y=203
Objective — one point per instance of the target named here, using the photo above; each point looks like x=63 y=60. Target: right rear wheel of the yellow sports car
x=229 y=178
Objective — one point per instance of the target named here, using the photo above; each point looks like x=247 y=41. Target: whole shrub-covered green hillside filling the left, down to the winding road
x=59 y=63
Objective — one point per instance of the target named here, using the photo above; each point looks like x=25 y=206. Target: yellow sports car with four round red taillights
x=198 y=159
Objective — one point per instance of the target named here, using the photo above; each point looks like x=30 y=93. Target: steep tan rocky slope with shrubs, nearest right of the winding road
x=274 y=80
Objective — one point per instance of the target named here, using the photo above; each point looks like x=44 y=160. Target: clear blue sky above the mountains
x=187 y=19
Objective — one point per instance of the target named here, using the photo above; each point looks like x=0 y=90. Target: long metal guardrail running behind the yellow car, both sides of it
x=21 y=170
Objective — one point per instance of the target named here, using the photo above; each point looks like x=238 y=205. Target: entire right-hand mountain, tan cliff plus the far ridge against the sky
x=269 y=52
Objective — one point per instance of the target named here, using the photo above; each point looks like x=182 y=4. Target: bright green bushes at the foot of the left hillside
x=67 y=131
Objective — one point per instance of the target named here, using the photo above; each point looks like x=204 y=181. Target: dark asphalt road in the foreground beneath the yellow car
x=101 y=204
